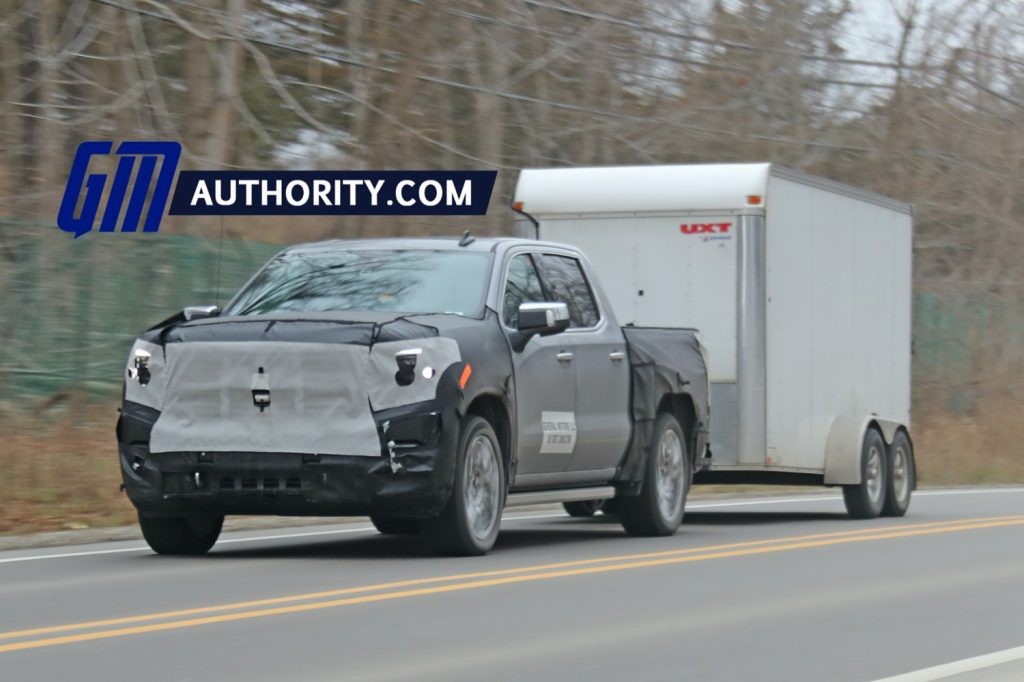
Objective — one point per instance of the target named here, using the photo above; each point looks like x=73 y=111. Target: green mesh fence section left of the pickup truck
x=70 y=309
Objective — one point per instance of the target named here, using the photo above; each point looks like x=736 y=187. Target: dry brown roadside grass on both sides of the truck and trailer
x=61 y=467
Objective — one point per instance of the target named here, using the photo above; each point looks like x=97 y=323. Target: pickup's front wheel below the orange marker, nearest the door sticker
x=471 y=528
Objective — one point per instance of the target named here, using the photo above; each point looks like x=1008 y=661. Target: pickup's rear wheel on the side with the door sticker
x=659 y=509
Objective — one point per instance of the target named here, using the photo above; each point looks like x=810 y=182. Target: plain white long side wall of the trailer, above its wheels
x=838 y=337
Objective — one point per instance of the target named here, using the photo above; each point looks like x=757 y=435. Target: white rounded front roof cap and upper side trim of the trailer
x=666 y=189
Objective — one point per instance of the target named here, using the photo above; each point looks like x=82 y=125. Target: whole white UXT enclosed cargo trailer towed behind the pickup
x=801 y=288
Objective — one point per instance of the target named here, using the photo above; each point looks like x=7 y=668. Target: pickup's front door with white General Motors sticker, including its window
x=545 y=379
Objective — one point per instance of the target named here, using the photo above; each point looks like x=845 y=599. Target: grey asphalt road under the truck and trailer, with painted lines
x=750 y=589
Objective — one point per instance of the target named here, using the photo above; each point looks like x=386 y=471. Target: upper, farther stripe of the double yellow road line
x=271 y=602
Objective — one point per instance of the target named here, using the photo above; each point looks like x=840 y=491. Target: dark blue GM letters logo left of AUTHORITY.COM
x=136 y=157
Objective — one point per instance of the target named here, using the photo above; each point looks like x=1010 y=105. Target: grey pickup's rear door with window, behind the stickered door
x=603 y=368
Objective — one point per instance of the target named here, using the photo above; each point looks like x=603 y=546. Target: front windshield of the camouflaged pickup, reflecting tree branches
x=405 y=282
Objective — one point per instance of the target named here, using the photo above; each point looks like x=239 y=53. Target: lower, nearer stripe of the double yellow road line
x=902 y=532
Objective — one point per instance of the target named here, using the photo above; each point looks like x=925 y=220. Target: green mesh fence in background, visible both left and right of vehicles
x=70 y=310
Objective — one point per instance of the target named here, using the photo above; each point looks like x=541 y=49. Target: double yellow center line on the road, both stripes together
x=245 y=611
